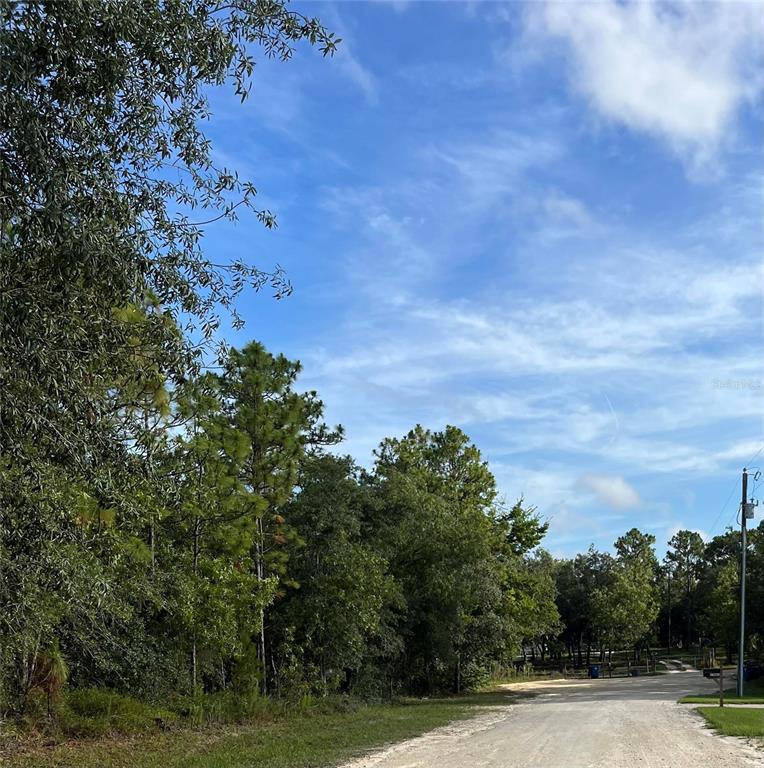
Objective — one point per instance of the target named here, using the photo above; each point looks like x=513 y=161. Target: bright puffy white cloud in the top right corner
x=678 y=71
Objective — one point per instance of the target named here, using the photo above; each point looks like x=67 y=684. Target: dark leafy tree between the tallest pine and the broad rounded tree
x=332 y=627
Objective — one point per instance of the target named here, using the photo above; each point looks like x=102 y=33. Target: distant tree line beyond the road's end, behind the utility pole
x=689 y=602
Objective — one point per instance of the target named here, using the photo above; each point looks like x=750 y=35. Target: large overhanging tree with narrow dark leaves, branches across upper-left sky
x=107 y=180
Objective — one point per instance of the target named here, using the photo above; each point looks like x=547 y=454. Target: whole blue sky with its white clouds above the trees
x=541 y=223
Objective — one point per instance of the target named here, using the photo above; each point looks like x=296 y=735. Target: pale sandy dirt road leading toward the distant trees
x=620 y=723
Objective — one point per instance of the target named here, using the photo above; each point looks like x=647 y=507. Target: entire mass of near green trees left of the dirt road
x=179 y=531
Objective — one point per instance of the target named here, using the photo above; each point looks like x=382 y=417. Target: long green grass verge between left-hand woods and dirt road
x=310 y=738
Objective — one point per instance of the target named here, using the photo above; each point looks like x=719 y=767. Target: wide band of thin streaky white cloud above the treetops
x=620 y=366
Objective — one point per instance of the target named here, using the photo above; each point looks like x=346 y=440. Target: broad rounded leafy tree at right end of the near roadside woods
x=455 y=554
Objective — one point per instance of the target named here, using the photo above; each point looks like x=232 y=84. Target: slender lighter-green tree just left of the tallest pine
x=209 y=537
